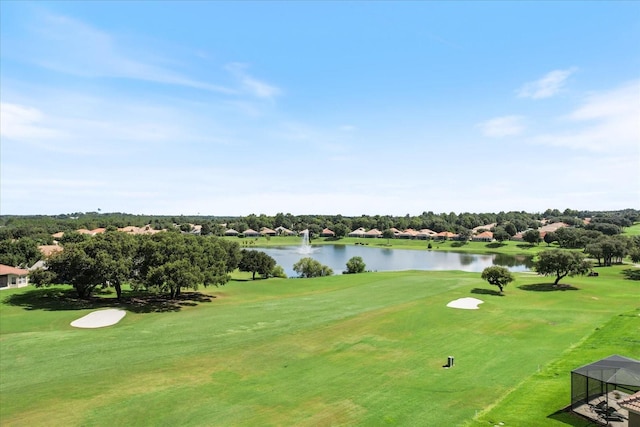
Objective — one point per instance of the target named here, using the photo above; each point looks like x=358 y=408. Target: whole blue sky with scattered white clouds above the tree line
x=232 y=108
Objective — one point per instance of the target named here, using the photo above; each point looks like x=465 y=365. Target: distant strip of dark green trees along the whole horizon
x=41 y=227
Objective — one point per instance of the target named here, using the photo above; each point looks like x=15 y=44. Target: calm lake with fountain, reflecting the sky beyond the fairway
x=383 y=259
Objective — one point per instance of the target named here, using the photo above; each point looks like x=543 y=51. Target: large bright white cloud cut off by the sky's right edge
x=606 y=121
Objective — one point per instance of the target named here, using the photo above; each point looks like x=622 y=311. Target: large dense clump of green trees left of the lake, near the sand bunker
x=163 y=262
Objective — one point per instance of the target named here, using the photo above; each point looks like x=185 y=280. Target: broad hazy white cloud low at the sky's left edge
x=93 y=125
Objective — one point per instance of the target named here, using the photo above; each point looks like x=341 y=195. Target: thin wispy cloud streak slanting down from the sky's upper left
x=72 y=47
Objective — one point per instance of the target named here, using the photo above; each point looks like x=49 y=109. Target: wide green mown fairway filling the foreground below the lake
x=362 y=349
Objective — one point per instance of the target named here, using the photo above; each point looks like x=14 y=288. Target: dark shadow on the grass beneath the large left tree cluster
x=55 y=299
